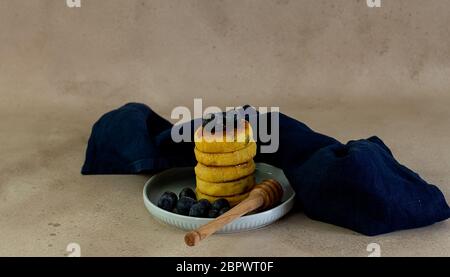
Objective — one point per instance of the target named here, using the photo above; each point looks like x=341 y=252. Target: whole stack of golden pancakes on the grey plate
x=225 y=164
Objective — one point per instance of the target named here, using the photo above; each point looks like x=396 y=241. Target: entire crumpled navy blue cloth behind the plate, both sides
x=358 y=185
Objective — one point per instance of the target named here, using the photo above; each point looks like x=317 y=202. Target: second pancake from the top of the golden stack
x=226 y=159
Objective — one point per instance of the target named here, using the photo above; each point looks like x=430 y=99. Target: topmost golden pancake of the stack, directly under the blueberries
x=225 y=142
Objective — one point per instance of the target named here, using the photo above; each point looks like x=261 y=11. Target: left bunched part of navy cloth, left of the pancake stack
x=134 y=139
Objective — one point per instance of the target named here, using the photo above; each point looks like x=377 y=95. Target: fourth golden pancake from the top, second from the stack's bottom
x=227 y=188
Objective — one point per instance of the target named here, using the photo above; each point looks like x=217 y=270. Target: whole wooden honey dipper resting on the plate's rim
x=264 y=195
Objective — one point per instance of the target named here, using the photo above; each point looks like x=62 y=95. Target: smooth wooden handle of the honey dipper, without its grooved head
x=254 y=201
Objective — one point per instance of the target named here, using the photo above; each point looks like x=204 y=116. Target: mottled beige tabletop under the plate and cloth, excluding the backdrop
x=46 y=204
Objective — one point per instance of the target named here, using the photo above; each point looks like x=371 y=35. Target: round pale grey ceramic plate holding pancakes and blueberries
x=178 y=178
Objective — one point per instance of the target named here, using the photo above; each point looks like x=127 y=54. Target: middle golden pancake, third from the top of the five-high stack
x=219 y=174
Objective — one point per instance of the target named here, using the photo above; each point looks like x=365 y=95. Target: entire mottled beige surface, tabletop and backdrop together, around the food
x=344 y=69
